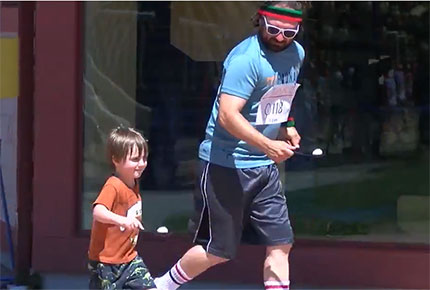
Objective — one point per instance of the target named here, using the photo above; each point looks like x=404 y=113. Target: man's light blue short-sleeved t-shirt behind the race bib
x=250 y=70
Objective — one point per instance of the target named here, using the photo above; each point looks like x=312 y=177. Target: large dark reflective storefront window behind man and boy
x=364 y=100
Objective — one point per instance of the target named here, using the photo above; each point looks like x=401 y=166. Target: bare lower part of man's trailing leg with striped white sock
x=195 y=261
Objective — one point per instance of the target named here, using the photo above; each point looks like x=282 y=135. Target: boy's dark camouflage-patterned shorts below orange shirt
x=132 y=275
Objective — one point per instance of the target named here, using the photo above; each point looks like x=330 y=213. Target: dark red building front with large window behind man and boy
x=360 y=215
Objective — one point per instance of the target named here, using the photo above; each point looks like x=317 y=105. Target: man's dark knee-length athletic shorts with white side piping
x=239 y=205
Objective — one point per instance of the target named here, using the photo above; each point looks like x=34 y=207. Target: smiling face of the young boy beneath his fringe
x=132 y=166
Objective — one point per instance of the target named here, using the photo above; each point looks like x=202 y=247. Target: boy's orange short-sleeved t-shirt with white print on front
x=108 y=243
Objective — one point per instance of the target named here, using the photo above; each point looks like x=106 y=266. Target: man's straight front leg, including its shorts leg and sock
x=271 y=226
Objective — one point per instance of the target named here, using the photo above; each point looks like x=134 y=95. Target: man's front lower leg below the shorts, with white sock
x=276 y=267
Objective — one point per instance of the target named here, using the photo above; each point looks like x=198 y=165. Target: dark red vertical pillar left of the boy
x=56 y=129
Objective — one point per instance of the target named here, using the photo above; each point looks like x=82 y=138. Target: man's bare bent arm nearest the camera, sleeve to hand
x=231 y=119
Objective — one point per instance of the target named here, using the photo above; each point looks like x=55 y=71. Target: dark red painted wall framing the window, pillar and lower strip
x=58 y=245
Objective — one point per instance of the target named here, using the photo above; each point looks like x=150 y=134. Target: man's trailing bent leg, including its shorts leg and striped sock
x=217 y=225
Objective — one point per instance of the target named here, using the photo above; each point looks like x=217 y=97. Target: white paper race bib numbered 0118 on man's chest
x=275 y=104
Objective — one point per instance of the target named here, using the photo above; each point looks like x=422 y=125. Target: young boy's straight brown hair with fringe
x=121 y=141
